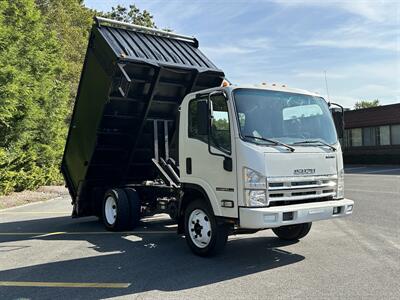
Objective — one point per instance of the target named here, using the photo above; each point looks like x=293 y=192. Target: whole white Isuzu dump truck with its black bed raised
x=157 y=128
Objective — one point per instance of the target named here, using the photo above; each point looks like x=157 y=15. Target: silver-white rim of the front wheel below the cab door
x=199 y=228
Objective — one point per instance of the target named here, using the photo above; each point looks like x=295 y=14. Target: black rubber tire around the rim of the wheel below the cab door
x=219 y=232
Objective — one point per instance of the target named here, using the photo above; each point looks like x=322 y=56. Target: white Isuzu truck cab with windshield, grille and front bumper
x=261 y=157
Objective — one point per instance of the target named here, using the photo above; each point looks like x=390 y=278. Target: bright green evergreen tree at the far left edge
x=32 y=98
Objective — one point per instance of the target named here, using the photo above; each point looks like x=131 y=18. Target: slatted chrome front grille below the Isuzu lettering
x=294 y=190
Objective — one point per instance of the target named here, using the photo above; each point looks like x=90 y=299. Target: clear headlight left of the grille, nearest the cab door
x=255 y=185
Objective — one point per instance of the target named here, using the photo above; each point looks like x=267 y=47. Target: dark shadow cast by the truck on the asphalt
x=149 y=260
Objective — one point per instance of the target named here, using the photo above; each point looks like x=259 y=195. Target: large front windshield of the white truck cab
x=285 y=117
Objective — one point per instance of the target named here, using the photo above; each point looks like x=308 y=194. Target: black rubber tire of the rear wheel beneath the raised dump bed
x=122 y=209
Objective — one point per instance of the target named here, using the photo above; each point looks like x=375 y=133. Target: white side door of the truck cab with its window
x=208 y=159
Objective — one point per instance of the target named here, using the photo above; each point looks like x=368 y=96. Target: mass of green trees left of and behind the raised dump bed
x=42 y=47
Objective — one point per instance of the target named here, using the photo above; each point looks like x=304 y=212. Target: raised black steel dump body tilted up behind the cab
x=131 y=77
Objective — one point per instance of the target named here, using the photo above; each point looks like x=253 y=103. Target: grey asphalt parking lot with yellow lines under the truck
x=44 y=254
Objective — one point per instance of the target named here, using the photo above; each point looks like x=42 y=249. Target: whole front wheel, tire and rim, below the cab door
x=204 y=235
